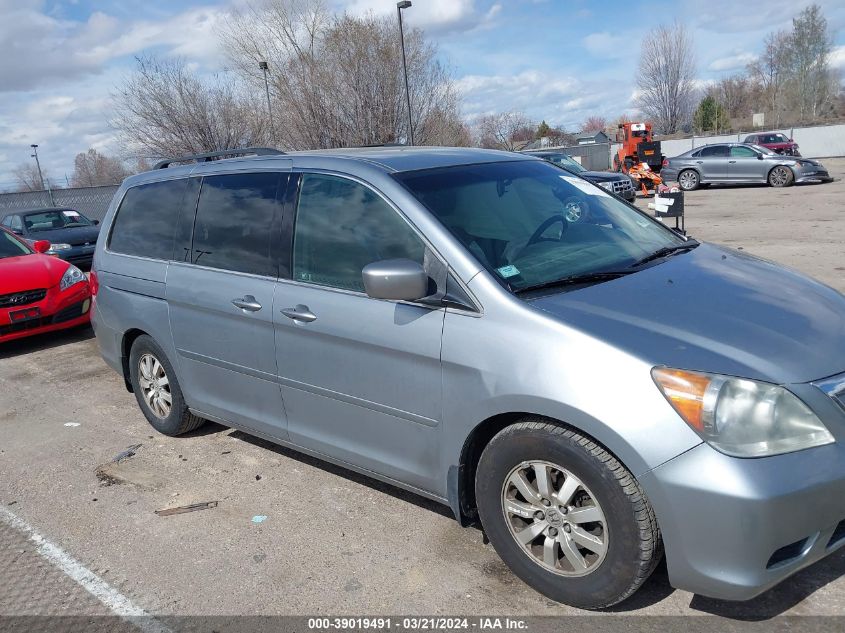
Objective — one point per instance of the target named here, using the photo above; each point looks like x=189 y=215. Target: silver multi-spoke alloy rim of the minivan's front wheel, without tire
x=555 y=518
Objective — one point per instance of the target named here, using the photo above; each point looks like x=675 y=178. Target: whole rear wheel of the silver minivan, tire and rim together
x=157 y=389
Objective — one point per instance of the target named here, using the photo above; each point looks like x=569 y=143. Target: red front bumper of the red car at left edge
x=57 y=311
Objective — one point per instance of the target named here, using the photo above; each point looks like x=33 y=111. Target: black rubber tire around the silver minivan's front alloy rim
x=632 y=537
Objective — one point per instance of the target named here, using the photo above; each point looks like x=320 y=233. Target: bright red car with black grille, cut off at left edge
x=38 y=293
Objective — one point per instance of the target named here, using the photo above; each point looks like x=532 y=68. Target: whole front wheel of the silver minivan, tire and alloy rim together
x=565 y=515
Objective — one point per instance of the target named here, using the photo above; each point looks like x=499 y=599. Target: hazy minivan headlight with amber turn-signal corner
x=740 y=417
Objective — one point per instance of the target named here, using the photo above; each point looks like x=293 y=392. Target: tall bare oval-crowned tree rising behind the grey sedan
x=666 y=77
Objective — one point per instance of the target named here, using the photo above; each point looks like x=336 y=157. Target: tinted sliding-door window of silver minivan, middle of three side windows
x=235 y=223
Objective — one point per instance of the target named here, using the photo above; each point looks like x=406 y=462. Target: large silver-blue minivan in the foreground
x=593 y=388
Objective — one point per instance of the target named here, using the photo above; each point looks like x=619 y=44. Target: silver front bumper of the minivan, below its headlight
x=733 y=527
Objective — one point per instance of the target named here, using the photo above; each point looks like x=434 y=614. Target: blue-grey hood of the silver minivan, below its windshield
x=715 y=310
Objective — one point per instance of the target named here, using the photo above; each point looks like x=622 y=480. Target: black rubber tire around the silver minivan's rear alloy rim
x=179 y=419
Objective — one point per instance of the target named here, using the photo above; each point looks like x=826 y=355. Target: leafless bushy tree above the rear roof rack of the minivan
x=163 y=109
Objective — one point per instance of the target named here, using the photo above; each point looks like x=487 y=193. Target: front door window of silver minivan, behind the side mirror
x=341 y=226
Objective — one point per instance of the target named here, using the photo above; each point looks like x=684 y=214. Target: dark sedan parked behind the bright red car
x=72 y=236
